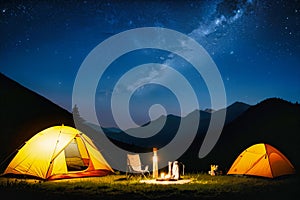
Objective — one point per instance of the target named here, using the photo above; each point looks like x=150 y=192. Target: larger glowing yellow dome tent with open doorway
x=59 y=152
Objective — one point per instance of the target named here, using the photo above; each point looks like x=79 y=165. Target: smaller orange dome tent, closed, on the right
x=262 y=160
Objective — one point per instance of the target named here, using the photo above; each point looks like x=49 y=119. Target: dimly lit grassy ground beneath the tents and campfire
x=202 y=186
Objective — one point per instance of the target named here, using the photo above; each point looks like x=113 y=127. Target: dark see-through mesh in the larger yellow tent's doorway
x=74 y=160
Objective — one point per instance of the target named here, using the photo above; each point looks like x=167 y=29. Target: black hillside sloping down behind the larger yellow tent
x=23 y=114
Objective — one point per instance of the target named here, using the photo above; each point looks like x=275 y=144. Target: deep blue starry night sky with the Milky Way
x=255 y=45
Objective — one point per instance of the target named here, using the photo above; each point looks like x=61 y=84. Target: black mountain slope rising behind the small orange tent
x=273 y=121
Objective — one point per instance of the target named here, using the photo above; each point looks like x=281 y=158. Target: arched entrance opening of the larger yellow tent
x=76 y=155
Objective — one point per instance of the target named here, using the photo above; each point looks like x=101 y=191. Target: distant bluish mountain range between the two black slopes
x=166 y=134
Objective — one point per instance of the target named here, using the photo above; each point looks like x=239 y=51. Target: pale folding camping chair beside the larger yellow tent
x=134 y=166
